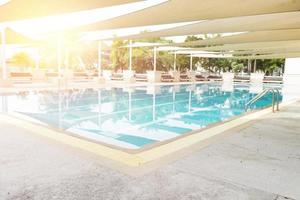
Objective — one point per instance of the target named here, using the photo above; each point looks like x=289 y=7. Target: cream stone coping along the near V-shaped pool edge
x=144 y=157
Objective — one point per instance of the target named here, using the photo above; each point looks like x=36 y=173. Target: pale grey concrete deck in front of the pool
x=260 y=160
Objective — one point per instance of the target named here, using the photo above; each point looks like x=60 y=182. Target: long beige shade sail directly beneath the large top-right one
x=278 y=21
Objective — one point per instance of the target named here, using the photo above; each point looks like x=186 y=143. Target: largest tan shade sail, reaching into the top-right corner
x=191 y=10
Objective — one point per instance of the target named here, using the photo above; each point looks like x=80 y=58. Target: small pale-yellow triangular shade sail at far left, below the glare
x=13 y=37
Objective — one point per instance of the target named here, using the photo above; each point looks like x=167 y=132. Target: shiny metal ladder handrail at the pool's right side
x=275 y=98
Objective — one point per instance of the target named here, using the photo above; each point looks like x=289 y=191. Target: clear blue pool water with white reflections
x=134 y=117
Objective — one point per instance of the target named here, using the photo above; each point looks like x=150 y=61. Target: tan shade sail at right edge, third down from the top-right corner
x=258 y=36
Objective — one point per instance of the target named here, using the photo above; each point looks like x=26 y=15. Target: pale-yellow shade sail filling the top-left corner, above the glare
x=27 y=9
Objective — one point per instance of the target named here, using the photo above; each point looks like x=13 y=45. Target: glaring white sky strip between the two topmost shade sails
x=38 y=27
